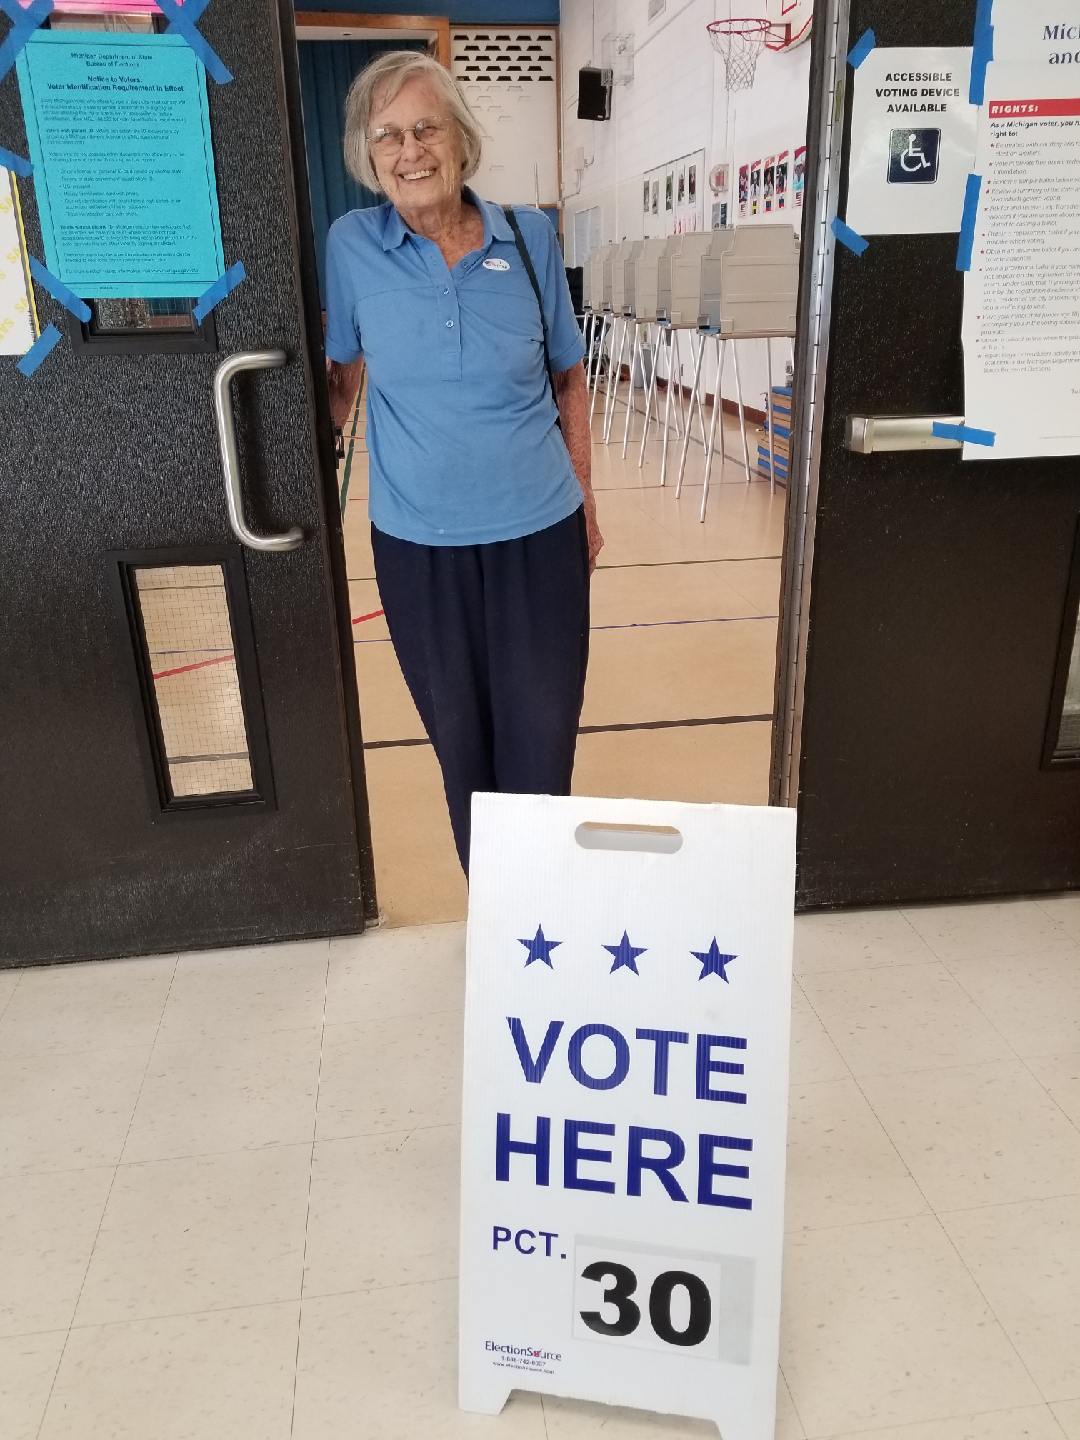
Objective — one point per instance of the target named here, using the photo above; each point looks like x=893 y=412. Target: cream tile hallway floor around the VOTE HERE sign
x=228 y=1190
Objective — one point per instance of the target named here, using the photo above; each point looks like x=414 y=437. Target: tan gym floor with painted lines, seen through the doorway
x=685 y=629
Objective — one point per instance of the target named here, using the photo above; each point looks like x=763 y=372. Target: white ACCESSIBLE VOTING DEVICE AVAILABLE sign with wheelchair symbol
x=912 y=142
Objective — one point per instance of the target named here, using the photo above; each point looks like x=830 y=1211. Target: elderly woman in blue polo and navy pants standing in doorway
x=483 y=518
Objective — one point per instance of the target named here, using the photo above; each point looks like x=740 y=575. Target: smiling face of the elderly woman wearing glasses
x=423 y=174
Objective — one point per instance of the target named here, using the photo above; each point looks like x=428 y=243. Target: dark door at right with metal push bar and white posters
x=924 y=688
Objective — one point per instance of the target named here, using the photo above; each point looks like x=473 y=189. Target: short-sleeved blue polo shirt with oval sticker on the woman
x=462 y=424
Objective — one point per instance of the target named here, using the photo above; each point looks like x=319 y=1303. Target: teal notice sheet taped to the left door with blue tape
x=120 y=139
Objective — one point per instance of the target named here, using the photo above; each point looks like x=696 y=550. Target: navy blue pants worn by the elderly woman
x=493 y=642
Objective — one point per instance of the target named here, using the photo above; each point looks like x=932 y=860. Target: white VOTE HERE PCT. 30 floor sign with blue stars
x=626 y=1101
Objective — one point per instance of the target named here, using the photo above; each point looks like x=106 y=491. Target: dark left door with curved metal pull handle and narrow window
x=181 y=757
